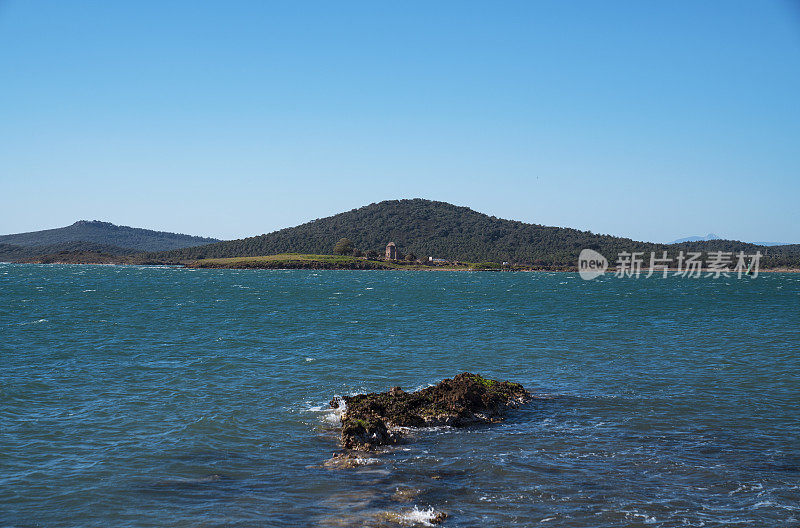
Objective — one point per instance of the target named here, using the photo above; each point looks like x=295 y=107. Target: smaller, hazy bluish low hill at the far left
x=94 y=232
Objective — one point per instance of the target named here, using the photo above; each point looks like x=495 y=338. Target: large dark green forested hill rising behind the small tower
x=438 y=229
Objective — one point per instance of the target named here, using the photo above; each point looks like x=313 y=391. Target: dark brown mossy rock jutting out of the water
x=371 y=420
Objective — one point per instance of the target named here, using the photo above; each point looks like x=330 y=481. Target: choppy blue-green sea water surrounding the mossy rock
x=169 y=397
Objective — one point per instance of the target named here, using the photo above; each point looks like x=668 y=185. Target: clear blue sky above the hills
x=654 y=120
